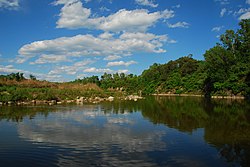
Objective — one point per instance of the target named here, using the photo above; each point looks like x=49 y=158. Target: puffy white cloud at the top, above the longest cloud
x=73 y=15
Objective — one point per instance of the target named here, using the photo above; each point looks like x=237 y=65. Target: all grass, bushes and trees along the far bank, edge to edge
x=224 y=71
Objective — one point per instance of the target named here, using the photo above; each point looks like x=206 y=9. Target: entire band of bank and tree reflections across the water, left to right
x=226 y=123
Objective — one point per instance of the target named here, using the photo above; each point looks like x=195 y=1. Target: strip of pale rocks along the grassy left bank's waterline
x=78 y=100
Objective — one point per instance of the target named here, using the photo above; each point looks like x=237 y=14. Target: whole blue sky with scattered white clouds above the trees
x=62 y=40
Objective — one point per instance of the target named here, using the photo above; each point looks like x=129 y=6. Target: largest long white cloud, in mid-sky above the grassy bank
x=50 y=51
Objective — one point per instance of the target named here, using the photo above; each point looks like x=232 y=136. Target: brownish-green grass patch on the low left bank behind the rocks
x=27 y=90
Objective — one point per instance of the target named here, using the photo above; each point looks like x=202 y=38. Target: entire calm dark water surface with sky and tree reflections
x=157 y=131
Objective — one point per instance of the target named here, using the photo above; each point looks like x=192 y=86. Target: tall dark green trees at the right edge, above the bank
x=228 y=63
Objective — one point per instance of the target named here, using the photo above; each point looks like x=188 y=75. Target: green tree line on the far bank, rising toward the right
x=225 y=71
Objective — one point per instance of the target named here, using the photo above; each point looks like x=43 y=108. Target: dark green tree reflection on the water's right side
x=226 y=123
